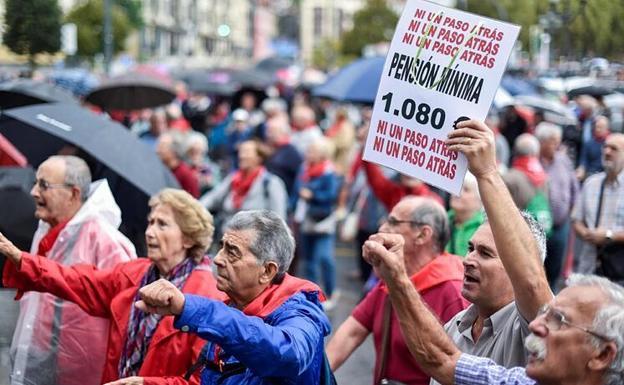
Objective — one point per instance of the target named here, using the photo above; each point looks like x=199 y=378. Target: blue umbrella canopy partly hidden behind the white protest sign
x=357 y=82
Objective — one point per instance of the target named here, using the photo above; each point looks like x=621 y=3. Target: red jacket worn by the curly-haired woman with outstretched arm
x=110 y=294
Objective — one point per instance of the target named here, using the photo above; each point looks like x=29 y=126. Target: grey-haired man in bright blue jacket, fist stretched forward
x=273 y=329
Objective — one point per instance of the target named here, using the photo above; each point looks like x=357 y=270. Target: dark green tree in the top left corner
x=32 y=27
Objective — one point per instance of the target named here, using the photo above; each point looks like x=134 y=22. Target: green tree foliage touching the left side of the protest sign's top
x=372 y=24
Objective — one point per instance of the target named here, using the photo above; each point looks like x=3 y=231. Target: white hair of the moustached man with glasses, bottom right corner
x=608 y=321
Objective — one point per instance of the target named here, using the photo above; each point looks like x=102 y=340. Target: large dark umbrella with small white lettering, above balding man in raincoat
x=132 y=169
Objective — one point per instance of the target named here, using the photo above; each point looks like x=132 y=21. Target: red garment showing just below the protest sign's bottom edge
x=389 y=192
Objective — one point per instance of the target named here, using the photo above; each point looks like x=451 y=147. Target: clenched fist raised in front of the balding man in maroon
x=385 y=252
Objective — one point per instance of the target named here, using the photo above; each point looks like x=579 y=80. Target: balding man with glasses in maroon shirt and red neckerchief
x=422 y=222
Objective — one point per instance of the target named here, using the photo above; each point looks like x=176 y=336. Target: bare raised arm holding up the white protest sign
x=516 y=245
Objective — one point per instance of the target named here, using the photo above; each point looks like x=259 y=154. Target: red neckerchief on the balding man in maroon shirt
x=445 y=267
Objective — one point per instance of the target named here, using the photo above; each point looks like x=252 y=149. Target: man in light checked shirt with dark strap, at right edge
x=598 y=216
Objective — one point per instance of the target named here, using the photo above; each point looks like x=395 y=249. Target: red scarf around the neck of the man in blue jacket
x=276 y=294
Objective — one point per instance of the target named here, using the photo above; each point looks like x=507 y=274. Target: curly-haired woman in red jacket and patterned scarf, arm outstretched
x=142 y=348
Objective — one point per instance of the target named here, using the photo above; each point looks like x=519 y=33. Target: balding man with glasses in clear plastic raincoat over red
x=78 y=224
